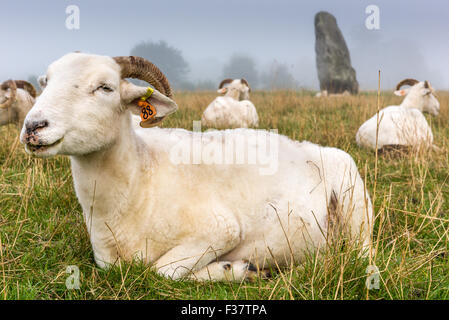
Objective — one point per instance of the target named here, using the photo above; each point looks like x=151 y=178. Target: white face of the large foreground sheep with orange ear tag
x=82 y=107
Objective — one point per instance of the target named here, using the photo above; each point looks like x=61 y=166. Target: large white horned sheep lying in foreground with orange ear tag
x=194 y=219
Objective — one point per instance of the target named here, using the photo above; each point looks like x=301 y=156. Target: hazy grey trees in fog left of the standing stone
x=172 y=63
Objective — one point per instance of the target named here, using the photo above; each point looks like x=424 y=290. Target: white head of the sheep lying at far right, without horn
x=421 y=97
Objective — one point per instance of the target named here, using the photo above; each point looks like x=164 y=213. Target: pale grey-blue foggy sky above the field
x=411 y=42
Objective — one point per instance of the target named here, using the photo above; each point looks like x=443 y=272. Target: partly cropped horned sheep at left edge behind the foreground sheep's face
x=16 y=99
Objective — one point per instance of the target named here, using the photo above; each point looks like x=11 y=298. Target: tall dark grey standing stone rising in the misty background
x=332 y=56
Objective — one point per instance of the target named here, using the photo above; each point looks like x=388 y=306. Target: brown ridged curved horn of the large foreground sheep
x=142 y=69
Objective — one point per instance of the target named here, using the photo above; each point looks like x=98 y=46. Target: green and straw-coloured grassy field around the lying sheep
x=42 y=229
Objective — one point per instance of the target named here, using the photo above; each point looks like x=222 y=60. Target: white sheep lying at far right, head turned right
x=402 y=125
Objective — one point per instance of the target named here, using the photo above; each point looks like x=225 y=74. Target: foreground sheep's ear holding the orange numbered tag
x=131 y=95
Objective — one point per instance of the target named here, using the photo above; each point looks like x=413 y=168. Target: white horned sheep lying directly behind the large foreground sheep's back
x=233 y=110
